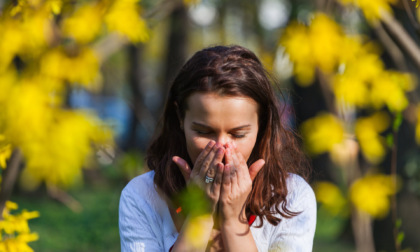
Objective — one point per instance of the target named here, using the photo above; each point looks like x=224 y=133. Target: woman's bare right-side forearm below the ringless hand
x=237 y=236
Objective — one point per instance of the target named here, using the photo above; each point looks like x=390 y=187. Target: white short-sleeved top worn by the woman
x=146 y=225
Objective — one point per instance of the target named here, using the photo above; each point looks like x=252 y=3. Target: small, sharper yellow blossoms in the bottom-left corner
x=15 y=231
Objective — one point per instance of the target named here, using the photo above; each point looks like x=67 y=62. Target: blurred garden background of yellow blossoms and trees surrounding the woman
x=82 y=85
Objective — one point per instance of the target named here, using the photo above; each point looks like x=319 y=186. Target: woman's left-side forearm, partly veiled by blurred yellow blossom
x=195 y=234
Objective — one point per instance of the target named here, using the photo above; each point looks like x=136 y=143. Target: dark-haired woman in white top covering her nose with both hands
x=221 y=132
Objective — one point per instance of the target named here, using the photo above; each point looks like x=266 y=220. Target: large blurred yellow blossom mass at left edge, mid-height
x=59 y=141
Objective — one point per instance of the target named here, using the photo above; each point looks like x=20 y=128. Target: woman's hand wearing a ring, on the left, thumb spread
x=208 y=163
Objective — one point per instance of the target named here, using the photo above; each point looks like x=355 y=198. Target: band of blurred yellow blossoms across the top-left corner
x=29 y=28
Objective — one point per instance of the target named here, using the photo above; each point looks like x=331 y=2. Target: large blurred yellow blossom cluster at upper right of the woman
x=355 y=70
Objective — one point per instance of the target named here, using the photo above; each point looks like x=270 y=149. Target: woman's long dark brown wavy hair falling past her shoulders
x=232 y=71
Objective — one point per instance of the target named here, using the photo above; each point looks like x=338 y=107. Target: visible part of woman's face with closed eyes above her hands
x=224 y=119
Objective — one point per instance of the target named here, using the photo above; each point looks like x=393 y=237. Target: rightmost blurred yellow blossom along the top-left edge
x=123 y=18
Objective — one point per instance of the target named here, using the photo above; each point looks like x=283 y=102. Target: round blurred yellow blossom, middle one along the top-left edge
x=76 y=25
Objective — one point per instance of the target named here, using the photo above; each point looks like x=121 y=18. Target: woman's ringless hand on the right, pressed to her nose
x=236 y=185
